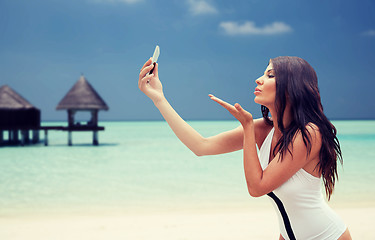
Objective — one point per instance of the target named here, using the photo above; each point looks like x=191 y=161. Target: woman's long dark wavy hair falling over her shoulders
x=297 y=82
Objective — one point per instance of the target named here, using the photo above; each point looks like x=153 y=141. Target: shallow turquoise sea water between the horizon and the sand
x=143 y=167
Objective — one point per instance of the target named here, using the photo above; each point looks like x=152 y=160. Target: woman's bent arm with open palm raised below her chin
x=259 y=181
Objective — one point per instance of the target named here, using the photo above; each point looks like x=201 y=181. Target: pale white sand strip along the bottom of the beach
x=257 y=224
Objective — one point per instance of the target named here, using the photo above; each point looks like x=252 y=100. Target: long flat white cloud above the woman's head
x=249 y=28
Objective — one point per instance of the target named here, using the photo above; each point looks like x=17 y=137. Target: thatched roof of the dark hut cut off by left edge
x=11 y=100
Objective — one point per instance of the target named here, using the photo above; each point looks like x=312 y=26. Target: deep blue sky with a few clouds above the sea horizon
x=206 y=46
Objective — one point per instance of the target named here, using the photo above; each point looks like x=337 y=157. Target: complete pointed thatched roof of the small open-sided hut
x=82 y=96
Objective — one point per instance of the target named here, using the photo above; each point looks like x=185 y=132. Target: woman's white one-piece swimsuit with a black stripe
x=300 y=206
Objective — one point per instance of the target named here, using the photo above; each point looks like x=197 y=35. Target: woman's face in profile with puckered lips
x=265 y=92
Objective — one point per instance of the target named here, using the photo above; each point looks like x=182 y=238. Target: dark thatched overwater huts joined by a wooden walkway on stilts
x=18 y=117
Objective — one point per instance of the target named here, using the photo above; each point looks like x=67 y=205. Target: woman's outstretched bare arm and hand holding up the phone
x=222 y=143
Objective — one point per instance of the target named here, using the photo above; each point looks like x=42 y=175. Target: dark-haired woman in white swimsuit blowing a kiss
x=298 y=146
